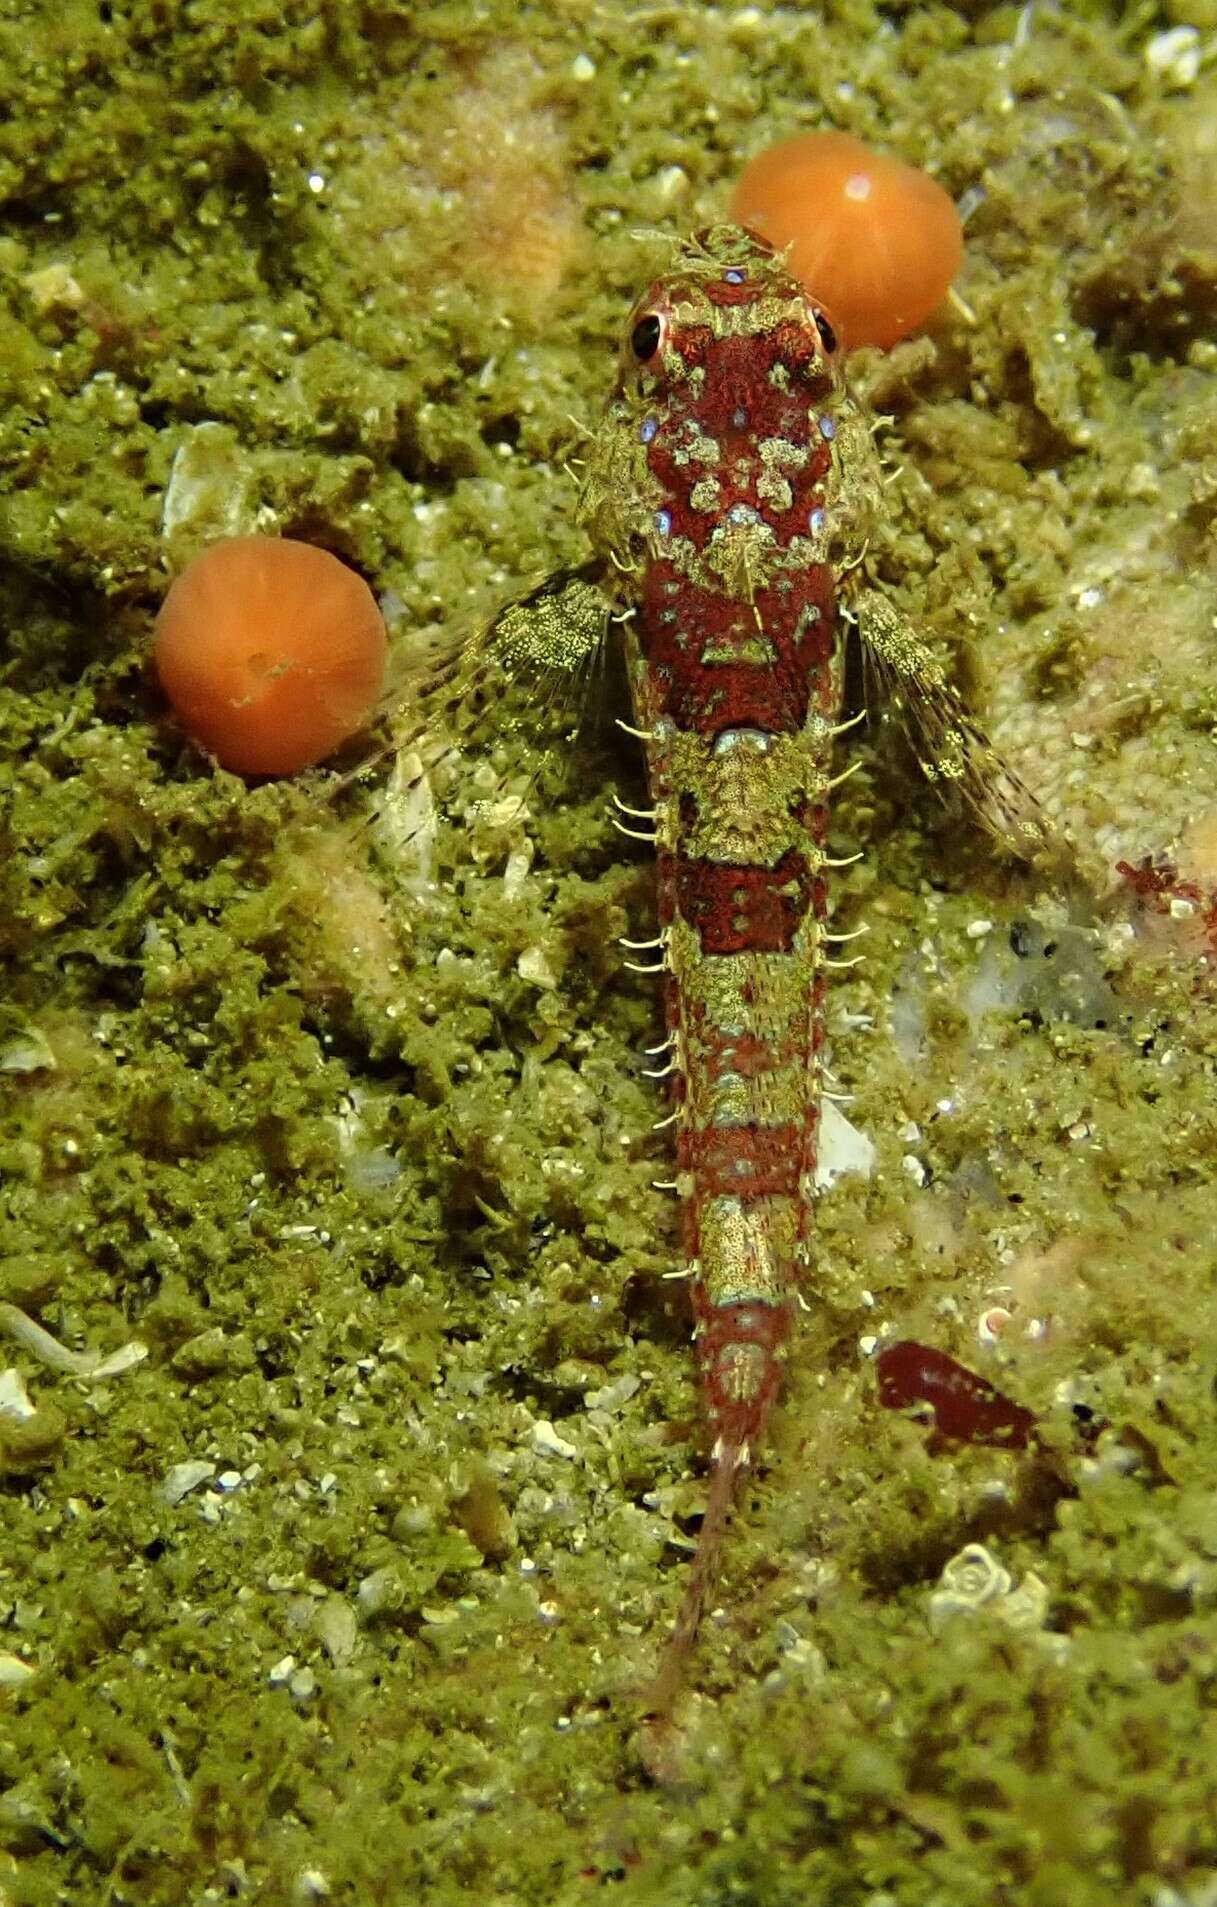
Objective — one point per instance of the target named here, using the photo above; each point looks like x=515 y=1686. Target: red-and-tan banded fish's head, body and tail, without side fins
x=712 y=489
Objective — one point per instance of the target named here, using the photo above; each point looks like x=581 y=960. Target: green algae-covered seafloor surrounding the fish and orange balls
x=333 y=1097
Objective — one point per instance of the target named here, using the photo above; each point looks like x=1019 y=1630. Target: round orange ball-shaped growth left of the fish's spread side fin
x=272 y=653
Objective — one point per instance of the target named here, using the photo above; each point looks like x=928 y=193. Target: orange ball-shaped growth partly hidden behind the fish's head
x=877 y=241
